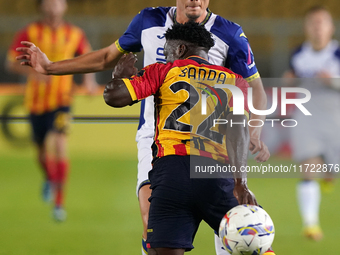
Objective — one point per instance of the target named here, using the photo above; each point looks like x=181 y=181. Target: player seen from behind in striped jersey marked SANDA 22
x=185 y=136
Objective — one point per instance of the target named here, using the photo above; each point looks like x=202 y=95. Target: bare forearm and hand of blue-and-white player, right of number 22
x=260 y=103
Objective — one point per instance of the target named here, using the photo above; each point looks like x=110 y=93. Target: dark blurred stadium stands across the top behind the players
x=274 y=28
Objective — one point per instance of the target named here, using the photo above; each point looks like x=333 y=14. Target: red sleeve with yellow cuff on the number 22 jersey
x=146 y=82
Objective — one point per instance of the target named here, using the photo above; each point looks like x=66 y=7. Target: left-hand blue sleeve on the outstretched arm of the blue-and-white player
x=130 y=41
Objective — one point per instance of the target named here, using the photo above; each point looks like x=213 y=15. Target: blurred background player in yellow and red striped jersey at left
x=48 y=98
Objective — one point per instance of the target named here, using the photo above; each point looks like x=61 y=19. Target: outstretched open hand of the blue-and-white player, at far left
x=33 y=57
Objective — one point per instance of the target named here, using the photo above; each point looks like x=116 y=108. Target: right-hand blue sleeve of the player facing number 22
x=241 y=58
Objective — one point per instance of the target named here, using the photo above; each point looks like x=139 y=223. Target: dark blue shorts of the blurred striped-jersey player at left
x=57 y=120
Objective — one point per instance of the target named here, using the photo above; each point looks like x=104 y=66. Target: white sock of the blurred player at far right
x=308 y=194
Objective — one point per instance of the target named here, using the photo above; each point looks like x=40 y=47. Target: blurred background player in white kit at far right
x=316 y=139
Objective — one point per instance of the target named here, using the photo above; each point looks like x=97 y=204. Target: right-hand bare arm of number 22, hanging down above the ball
x=237 y=140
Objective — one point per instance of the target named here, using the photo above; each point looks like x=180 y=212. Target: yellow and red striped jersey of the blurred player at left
x=48 y=93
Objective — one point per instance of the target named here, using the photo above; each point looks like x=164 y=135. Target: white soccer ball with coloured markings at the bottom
x=246 y=230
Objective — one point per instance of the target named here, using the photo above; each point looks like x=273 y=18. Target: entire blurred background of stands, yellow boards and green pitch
x=102 y=205
